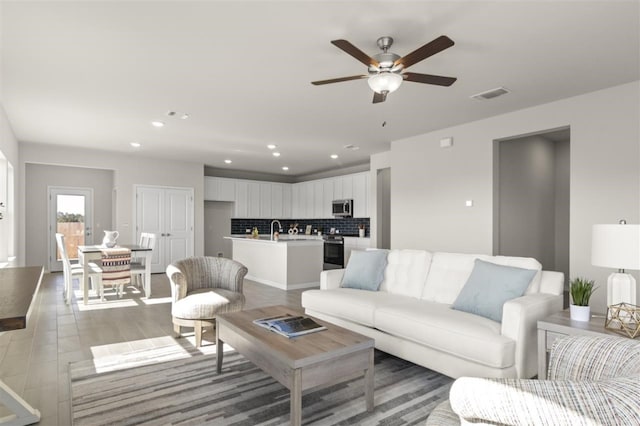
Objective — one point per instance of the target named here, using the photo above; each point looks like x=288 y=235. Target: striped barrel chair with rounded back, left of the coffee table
x=203 y=287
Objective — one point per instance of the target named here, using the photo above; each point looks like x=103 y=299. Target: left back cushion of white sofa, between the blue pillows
x=406 y=272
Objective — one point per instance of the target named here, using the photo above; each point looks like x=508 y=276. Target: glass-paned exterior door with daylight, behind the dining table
x=71 y=214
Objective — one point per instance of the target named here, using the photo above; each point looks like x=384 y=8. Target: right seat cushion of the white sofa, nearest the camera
x=438 y=326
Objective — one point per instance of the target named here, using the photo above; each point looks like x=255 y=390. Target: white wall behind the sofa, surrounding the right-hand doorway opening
x=430 y=184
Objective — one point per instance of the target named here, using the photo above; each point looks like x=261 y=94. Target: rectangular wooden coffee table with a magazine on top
x=302 y=362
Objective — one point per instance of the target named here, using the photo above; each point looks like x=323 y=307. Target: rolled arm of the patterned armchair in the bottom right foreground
x=514 y=401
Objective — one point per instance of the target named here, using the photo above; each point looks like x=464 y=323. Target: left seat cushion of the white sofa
x=347 y=303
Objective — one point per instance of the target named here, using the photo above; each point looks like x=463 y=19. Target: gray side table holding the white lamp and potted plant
x=560 y=325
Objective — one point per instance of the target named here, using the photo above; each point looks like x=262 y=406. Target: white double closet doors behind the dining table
x=168 y=213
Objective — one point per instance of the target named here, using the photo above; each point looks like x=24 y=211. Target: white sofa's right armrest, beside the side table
x=520 y=323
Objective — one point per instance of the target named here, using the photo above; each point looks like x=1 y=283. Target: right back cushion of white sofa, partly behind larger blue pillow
x=449 y=272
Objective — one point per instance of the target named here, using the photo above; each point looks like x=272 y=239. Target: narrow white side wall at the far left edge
x=10 y=225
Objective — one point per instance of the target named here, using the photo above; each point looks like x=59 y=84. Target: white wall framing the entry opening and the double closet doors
x=128 y=170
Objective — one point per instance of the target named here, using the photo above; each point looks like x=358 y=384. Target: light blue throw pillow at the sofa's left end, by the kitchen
x=365 y=270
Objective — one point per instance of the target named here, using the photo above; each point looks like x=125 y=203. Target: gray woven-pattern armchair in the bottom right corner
x=592 y=381
